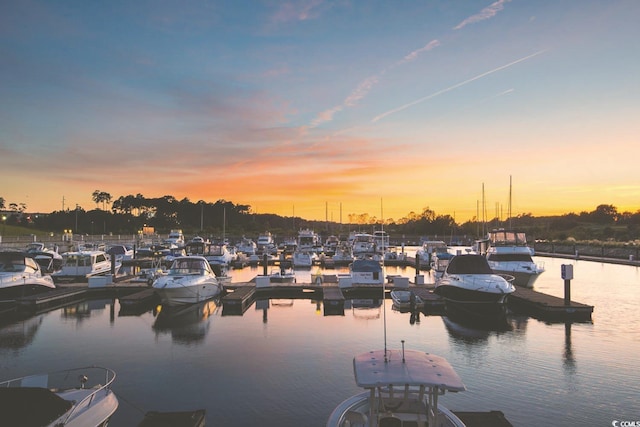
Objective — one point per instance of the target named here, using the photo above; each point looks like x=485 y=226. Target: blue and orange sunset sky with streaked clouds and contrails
x=322 y=109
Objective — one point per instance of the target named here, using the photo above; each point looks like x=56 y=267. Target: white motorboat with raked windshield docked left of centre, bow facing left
x=189 y=280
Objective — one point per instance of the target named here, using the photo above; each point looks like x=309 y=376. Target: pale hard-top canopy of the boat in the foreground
x=405 y=368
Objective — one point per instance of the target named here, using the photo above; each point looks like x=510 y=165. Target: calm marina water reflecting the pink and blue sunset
x=290 y=365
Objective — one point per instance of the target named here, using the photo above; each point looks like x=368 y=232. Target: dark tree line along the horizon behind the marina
x=129 y=214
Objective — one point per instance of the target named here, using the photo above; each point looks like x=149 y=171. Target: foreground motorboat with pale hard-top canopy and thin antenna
x=402 y=387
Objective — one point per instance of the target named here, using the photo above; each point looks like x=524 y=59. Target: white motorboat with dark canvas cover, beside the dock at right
x=469 y=286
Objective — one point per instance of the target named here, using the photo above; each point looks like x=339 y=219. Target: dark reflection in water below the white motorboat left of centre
x=188 y=324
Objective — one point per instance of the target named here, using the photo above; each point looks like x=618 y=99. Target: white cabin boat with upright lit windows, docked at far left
x=81 y=265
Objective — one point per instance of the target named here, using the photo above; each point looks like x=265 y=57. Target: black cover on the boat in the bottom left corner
x=30 y=406
